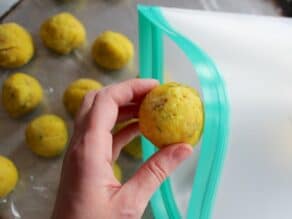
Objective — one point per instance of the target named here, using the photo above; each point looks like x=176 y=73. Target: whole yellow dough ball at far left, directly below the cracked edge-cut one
x=21 y=94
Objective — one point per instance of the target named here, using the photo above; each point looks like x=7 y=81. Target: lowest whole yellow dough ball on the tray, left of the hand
x=47 y=135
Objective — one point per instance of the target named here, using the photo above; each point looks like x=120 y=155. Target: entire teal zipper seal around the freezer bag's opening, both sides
x=152 y=25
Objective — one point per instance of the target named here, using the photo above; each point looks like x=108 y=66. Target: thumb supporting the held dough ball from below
x=152 y=173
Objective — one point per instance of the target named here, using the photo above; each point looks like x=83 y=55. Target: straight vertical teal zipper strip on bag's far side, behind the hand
x=151 y=66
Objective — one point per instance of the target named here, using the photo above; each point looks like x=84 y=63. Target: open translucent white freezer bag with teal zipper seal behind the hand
x=242 y=66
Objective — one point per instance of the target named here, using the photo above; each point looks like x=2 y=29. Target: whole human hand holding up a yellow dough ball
x=88 y=188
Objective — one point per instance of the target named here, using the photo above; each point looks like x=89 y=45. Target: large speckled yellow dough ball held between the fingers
x=171 y=113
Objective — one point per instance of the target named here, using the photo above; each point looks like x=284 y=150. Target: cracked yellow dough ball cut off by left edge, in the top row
x=16 y=46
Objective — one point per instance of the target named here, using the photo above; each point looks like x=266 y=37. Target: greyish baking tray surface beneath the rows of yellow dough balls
x=35 y=193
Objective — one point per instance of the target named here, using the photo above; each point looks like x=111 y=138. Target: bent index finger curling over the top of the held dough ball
x=104 y=111
